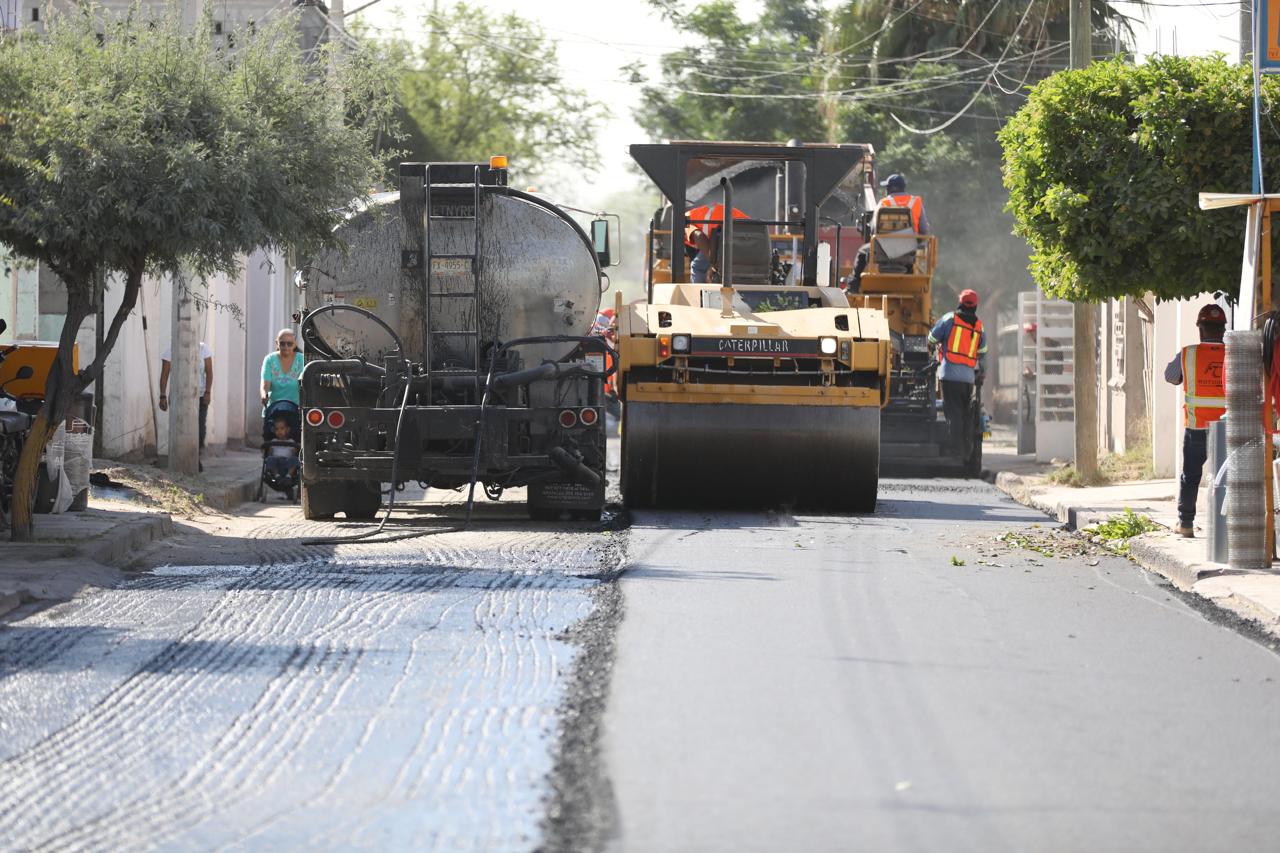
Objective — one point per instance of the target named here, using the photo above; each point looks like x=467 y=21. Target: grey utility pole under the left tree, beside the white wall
x=184 y=345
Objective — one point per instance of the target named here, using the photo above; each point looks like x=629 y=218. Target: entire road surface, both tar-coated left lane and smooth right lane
x=752 y=682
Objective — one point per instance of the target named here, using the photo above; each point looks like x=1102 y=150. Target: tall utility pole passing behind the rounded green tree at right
x=1086 y=318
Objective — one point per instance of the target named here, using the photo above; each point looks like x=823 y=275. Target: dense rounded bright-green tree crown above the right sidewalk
x=1104 y=167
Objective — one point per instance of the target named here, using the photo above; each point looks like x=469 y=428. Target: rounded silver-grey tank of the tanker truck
x=538 y=276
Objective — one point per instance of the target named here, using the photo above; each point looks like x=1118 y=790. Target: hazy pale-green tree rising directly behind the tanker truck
x=479 y=85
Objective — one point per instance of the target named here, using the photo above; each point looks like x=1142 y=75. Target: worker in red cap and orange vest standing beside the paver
x=963 y=363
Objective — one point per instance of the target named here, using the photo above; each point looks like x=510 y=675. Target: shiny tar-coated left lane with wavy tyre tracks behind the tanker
x=255 y=694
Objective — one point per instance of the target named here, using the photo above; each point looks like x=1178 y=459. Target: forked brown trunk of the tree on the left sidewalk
x=62 y=389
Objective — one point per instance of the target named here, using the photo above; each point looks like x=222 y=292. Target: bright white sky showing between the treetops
x=596 y=40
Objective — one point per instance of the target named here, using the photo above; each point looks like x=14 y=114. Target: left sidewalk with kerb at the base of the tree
x=77 y=550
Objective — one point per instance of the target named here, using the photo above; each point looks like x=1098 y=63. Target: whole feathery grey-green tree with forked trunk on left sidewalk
x=147 y=150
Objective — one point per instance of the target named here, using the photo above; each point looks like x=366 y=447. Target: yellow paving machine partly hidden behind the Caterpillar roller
x=898 y=282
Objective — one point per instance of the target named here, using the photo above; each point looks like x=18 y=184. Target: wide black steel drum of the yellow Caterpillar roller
x=730 y=455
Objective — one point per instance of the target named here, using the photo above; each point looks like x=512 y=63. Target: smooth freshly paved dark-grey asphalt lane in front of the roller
x=839 y=685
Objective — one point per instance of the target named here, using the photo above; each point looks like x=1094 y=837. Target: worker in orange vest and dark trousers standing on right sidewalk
x=1200 y=368
